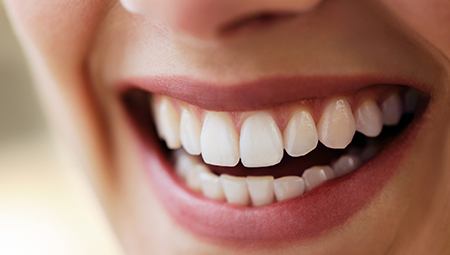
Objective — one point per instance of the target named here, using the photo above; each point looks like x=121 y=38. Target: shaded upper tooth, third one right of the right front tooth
x=369 y=119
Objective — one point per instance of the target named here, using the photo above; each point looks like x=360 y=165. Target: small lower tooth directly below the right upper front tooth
x=260 y=189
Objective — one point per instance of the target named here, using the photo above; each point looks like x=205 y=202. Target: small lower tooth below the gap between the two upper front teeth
x=235 y=189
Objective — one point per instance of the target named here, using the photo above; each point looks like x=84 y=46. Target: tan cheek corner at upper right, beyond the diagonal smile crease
x=428 y=18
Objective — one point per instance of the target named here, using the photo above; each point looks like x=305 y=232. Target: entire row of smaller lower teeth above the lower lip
x=263 y=190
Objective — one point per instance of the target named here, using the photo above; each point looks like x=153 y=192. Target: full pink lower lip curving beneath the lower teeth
x=305 y=217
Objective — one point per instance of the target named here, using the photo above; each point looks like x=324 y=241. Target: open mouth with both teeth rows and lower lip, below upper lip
x=241 y=165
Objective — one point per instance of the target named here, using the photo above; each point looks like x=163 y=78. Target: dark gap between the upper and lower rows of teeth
x=288 y=165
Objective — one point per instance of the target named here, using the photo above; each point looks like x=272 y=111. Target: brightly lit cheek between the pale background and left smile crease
x=56 y=36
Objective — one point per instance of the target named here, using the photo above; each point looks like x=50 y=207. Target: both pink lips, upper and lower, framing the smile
x=305 y=217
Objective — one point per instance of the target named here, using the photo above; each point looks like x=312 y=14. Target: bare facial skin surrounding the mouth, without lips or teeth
x=78 y=48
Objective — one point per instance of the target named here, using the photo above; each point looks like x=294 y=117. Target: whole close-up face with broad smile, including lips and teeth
x=253 y=127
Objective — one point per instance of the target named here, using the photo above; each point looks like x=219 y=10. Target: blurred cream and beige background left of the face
x=46 y=207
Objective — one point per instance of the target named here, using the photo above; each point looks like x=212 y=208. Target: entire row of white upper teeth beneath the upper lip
x=260 y=141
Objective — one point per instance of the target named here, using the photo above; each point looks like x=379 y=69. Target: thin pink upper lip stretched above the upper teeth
x=259 y=93
